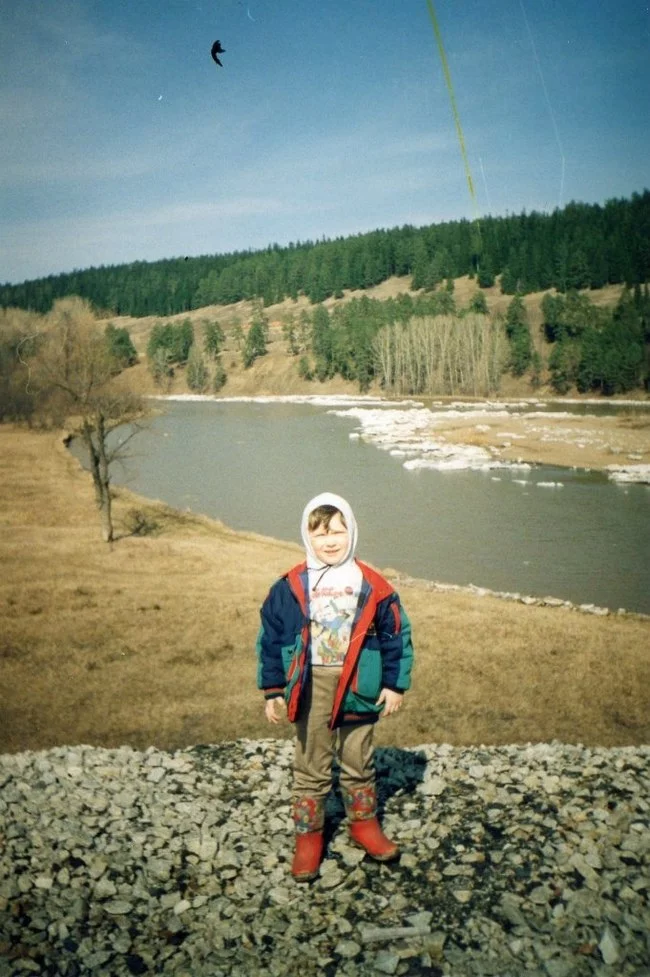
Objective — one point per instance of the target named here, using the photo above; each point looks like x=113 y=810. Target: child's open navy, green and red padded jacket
x=379 y=656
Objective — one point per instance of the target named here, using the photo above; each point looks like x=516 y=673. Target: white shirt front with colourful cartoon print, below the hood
x=333 y=598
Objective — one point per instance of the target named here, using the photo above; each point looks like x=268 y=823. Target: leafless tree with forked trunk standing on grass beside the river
x=78 y=381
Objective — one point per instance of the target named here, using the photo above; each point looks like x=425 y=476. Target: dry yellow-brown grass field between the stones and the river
x=151 y=640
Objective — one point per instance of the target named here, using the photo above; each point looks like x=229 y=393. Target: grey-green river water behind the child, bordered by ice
x=255 y=465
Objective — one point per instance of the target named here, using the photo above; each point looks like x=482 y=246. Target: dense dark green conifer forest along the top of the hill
x=579 y=246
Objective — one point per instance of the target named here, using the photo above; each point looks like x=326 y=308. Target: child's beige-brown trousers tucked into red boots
x=316 y=744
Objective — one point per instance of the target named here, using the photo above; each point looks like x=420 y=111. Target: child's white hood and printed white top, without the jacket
x=333 y=589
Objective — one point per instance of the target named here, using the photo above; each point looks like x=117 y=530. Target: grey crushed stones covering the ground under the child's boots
x=516 y=860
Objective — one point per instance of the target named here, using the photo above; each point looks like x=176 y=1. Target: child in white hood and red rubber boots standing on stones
x=334 y=647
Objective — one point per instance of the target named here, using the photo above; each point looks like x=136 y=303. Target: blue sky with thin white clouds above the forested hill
x=122 y=140
